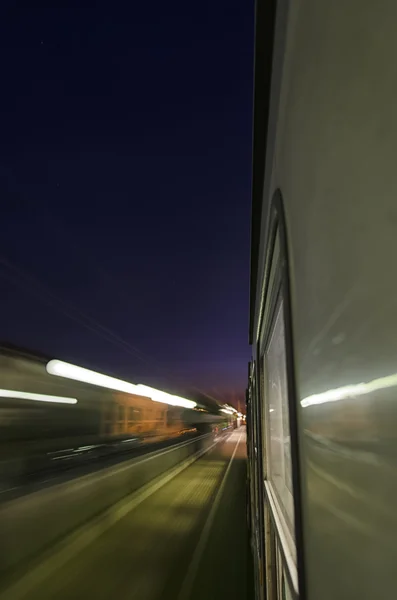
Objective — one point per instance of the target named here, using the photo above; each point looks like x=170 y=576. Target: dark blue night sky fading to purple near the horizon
x=125 y=171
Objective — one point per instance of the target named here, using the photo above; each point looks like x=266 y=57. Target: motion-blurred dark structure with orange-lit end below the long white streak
x=98 y=415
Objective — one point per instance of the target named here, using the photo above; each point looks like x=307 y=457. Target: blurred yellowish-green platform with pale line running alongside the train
x=188 y=540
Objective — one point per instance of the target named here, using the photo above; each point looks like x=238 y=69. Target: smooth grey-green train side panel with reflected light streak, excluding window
x=330 y=161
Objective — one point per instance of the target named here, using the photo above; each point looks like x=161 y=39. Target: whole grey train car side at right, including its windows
x=321 y=408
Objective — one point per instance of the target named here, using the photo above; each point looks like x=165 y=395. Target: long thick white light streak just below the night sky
x=63 y=369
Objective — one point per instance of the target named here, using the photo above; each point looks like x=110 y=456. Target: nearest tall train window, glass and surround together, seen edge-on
x=277 y=410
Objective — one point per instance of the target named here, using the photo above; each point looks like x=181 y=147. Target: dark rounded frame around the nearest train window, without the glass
x=275 y=288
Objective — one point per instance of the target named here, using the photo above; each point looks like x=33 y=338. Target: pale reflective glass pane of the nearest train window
x=279 y=447
